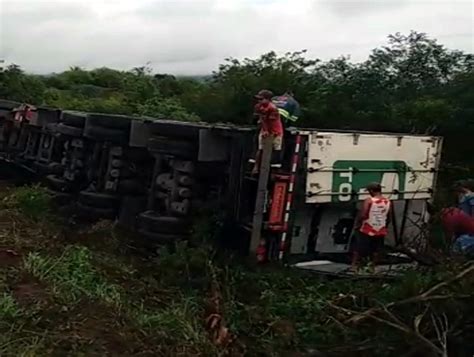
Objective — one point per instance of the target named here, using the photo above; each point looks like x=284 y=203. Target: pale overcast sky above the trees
x=192 y=37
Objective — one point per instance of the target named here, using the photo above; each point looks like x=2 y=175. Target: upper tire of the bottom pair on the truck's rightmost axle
x=152 y=222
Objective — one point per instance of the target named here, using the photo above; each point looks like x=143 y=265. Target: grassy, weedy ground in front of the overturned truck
x=81 y=291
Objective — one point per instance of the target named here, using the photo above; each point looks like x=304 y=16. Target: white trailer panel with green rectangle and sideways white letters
x=340 y=165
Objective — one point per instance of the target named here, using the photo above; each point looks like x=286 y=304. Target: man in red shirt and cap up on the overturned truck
x=270 y=125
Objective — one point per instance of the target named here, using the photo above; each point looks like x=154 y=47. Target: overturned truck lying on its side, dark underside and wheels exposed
x=152 y=175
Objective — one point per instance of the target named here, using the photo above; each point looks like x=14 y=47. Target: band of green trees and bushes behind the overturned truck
x=412 y=84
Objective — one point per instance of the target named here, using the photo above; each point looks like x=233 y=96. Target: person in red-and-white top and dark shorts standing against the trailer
x=371 y=223
